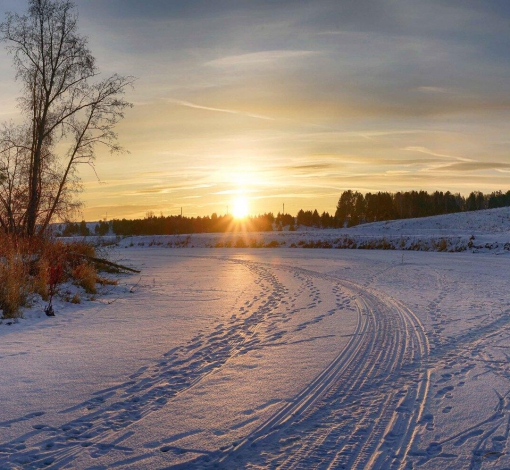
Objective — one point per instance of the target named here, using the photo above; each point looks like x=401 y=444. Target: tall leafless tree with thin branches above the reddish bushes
x=64 y=101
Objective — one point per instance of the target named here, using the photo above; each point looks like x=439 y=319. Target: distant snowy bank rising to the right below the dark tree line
x=478 y=231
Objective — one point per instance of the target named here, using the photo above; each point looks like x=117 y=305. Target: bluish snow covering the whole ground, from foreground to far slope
x=266 y=358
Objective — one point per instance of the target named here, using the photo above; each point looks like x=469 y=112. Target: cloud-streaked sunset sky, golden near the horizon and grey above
x=293 y=102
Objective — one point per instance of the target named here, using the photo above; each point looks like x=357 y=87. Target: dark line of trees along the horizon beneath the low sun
x=352 y=209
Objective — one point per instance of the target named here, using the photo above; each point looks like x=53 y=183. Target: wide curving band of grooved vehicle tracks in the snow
x=362 y=411
